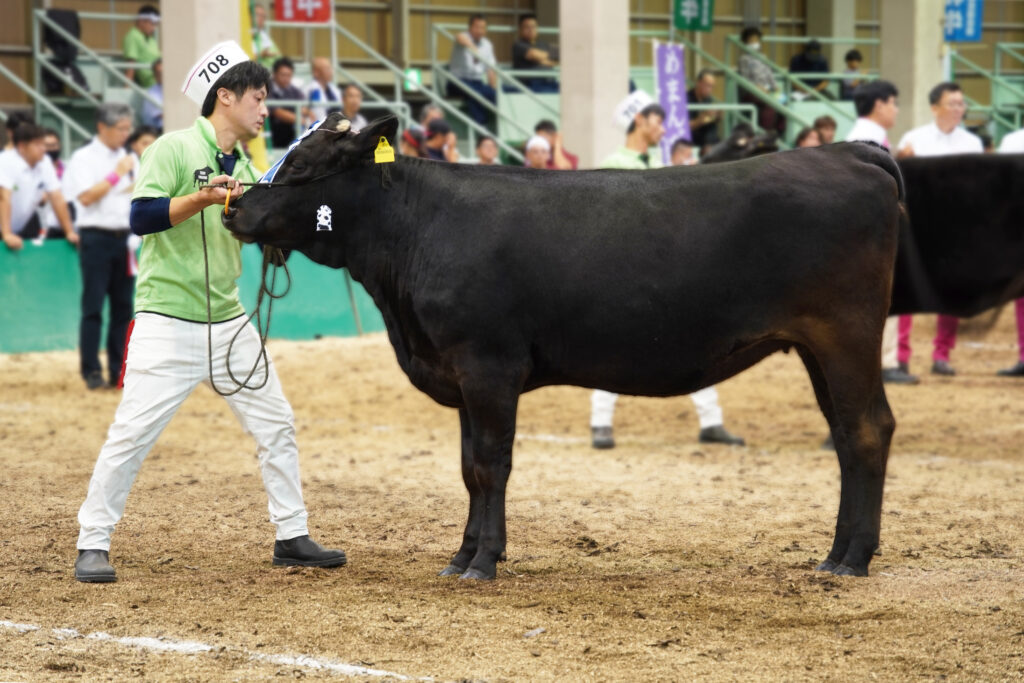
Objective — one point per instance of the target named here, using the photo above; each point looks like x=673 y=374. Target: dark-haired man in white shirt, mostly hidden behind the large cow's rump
x=877 y=107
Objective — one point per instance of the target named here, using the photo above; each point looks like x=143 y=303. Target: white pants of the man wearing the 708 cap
x=166 y=360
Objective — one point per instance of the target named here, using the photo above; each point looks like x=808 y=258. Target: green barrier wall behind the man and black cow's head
x=40 y=290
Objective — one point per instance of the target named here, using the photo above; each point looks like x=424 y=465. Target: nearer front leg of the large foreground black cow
x=491 y=406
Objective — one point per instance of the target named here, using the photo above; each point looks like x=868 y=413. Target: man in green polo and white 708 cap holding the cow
x=166 y=356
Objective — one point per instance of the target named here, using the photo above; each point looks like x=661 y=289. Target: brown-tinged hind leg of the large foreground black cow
x=848 y=386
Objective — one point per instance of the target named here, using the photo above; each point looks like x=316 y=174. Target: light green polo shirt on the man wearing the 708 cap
x=172 y=278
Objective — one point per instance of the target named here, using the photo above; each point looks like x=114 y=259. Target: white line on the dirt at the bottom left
x=195 y=648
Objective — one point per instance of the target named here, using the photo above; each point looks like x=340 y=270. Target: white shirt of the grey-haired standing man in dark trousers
x=88 y=167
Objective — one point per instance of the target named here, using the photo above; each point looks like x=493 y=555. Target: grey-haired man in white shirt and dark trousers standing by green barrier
x=99 y=179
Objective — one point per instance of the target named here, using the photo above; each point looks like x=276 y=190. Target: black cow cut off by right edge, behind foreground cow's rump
x=963 y=251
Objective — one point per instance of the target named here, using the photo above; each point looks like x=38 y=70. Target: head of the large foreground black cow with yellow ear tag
x=311 y=199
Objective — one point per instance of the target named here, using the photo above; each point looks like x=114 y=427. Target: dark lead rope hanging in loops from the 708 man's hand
x=272 y=257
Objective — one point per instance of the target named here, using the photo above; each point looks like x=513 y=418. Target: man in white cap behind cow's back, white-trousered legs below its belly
x=644 y=122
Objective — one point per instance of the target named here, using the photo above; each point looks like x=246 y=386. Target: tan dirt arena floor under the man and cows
x=663 y=560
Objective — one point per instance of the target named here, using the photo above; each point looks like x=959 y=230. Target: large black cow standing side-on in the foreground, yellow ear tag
x=494 y=282
